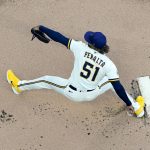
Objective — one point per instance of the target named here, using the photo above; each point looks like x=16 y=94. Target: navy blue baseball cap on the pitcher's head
x=97 y=39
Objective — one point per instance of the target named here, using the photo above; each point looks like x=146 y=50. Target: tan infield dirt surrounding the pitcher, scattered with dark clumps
x=45 y=120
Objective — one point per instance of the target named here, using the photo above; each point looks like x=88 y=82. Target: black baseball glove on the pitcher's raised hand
x=39 y=34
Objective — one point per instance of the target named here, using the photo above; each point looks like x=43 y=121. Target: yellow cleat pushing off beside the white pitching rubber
x=140 y=112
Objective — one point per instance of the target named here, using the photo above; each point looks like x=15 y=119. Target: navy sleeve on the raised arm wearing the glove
x=54 y=35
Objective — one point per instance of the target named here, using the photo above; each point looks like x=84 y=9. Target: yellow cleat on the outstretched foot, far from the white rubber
x=13 y=81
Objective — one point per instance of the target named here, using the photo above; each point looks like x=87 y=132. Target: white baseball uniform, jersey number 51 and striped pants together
x=90 y=77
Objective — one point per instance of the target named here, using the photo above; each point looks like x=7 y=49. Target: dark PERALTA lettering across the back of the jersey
x=94 y=58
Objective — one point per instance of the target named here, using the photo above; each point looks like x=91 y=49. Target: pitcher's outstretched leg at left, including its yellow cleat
x=46 y=82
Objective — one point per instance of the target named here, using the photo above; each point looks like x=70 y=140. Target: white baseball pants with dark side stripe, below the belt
x=62 y=86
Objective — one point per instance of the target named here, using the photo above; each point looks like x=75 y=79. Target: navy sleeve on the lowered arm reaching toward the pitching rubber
x=121 y=92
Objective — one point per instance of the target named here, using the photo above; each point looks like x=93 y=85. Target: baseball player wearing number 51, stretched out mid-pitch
x=92 y=75
